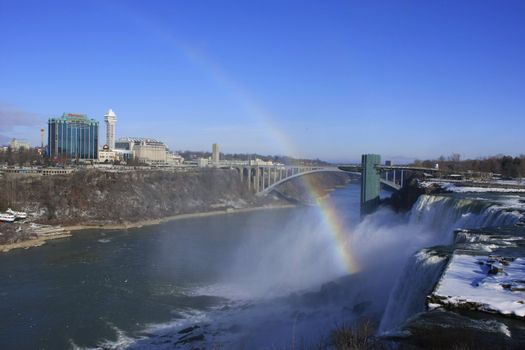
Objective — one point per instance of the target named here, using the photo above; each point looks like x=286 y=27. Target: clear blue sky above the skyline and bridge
x=327 y=79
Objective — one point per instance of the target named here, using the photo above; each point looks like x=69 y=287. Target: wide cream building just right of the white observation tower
x=148 y=151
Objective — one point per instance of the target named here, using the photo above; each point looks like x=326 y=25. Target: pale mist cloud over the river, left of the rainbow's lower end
x=303 y=256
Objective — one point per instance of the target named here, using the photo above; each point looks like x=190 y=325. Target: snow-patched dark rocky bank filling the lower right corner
x=479 y=299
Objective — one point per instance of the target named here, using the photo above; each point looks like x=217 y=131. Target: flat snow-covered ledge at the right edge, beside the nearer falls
x=486 y=283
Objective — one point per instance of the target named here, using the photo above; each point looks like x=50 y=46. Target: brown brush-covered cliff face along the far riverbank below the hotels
x=98 y=197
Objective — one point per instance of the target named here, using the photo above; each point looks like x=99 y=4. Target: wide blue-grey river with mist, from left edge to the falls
x=270 y=278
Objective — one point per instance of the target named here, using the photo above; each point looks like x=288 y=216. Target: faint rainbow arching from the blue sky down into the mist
x=331 y=219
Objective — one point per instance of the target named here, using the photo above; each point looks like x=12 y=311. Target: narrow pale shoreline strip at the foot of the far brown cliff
x=41 y=240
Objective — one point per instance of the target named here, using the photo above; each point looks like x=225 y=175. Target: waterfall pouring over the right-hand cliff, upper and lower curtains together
x=440 y=215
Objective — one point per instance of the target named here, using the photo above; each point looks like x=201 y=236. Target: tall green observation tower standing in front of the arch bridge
x=370 y=183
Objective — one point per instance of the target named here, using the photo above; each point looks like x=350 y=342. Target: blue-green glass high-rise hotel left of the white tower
x=73 y=136
